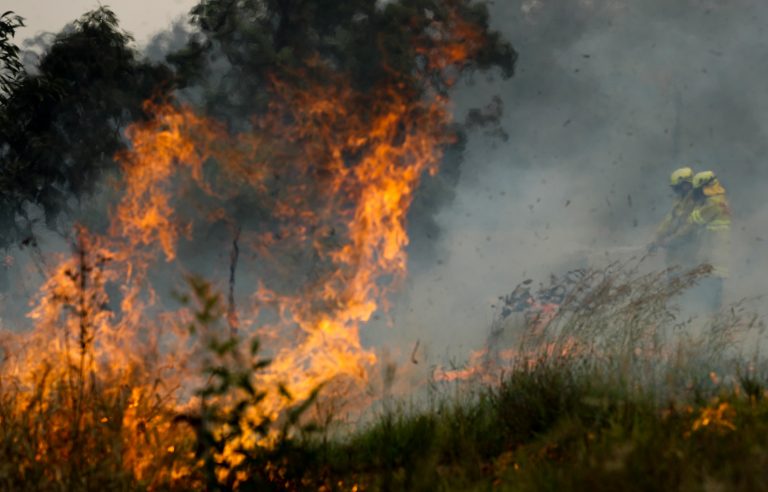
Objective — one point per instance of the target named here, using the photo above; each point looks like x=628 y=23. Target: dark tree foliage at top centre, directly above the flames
x=243 y=42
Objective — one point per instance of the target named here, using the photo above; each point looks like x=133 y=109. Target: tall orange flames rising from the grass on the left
x=335 y=168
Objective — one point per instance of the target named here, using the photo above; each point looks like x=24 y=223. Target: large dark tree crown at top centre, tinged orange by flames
x=243 y=44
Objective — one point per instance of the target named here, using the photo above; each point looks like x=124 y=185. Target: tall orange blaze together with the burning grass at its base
x=115 y=382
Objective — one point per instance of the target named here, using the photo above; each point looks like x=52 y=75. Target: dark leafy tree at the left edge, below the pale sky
x=60 y=127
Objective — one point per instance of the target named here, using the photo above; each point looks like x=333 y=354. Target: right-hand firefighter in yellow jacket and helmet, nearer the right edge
x=710 y=221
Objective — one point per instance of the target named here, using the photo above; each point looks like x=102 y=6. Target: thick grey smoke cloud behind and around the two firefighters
x=609 y=97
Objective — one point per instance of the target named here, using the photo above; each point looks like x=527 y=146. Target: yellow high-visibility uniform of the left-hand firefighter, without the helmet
x=680 y=244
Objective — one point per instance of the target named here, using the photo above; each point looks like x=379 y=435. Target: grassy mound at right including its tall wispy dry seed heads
x=618 y=391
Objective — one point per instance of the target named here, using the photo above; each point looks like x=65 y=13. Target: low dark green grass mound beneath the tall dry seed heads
x=558 y=427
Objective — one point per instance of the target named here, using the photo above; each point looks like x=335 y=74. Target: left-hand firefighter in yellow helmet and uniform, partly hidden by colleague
x=679 y=246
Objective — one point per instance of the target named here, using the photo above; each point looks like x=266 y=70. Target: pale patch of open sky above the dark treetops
x=141 y=18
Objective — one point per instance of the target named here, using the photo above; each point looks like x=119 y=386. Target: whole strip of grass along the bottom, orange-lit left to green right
x=617 y=392
